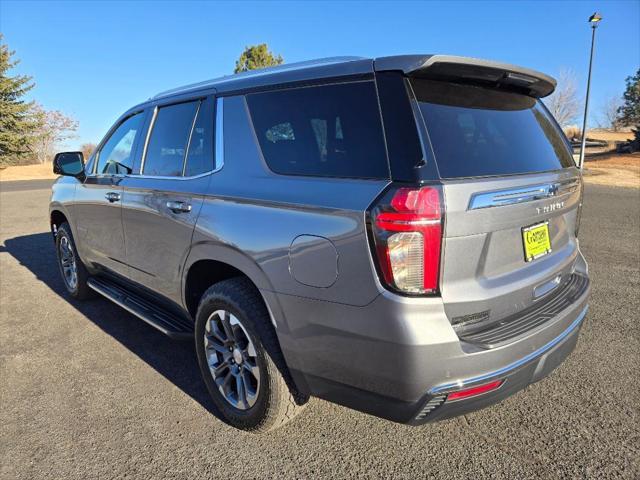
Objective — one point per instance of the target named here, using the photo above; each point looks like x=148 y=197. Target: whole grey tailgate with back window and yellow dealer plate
x=511 y=191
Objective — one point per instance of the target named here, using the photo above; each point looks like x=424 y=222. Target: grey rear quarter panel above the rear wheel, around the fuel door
x=252 y=216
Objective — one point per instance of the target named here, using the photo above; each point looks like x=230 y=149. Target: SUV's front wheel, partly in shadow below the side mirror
x=66 y=251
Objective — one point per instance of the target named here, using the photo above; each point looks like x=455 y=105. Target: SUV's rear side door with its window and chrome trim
x=161 y=203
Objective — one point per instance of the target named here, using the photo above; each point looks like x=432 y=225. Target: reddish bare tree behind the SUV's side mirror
x=54 y=127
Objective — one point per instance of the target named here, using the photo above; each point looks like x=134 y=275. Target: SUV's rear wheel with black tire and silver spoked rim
x=267 y=399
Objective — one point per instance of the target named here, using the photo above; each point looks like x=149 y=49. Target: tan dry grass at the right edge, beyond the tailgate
x=614 y=170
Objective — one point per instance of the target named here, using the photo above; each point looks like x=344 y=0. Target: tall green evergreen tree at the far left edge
x=17 y=122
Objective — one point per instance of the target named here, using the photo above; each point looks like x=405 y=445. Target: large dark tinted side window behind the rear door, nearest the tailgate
x=331 y=130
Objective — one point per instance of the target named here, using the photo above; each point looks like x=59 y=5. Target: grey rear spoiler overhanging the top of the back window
x=470 y=70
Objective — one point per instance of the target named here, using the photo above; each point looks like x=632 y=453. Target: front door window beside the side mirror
x=116 y=155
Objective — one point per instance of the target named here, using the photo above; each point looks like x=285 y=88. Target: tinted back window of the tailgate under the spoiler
x=477 y=132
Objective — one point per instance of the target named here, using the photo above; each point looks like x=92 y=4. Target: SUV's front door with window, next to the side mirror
x=98 y=199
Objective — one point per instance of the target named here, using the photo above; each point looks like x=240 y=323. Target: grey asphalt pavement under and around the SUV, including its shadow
x=89 y=391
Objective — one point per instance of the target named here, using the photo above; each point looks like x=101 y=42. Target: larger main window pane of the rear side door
x=169 y=139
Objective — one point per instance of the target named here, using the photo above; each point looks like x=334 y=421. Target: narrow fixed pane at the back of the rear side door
x=200 y=156
